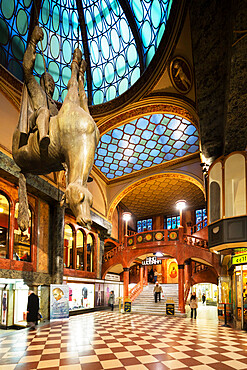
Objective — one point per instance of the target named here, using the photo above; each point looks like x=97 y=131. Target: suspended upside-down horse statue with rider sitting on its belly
x=46 y=140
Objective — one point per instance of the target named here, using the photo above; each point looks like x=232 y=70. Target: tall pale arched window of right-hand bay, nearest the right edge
x=235 y=186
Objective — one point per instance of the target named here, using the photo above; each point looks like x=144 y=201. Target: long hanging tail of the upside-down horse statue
x=23 y=216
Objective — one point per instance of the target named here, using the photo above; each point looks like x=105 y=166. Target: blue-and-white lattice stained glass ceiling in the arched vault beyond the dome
x=144 y=142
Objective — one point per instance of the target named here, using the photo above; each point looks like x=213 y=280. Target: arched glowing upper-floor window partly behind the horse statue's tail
x=22 y=239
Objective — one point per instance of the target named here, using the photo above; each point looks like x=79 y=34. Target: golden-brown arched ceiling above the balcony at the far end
x=158 y=195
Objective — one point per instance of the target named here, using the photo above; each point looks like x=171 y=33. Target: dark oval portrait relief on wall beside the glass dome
x=181 y=74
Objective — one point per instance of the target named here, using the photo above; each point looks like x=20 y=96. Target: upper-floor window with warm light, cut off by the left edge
x=4 y=226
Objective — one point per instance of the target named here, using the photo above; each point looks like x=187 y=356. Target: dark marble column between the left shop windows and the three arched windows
x=57 y=242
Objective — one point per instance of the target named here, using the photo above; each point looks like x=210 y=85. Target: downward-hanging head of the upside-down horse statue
x=79 y=199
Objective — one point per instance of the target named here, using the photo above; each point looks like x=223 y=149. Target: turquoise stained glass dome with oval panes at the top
x=118 y=39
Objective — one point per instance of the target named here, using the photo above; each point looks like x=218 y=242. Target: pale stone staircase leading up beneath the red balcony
x=145 y=304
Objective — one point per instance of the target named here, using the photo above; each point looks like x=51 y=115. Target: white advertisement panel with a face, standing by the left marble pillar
x=59 y=302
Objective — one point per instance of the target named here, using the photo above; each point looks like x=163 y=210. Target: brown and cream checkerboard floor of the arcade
x=109 y=340
